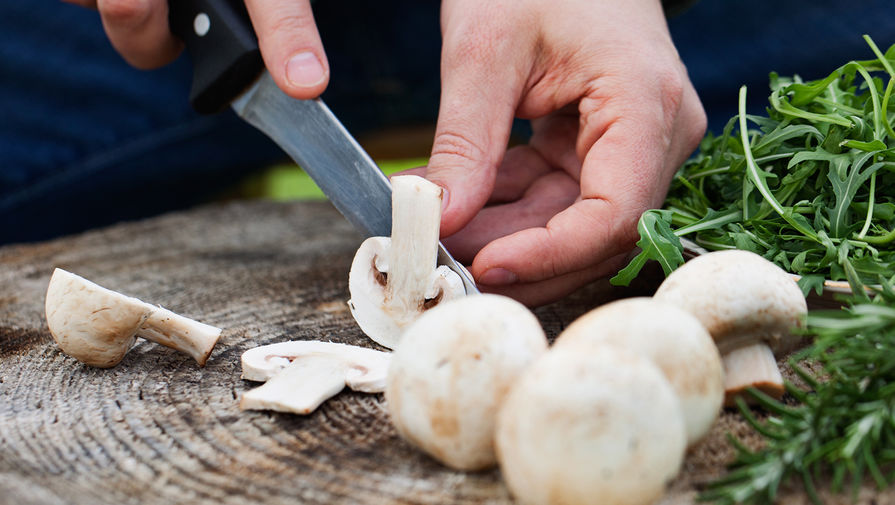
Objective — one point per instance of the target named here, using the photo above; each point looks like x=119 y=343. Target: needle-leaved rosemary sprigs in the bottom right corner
x=842 y=433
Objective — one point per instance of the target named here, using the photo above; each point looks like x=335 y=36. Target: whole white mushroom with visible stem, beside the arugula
x=749 y=305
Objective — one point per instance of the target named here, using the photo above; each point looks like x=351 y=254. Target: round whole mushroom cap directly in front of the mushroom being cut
x=451 y=372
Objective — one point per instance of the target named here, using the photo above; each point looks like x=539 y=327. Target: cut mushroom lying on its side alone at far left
x=97 y=326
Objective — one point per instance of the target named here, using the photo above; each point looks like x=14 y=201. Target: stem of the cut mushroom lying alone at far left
x=181 y=333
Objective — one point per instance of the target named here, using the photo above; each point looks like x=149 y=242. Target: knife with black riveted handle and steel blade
x=228 y=70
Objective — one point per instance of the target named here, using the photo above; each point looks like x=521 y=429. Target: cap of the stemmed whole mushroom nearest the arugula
x=740 y=297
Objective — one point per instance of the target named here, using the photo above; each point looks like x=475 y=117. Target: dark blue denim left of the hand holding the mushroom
x=86 y=140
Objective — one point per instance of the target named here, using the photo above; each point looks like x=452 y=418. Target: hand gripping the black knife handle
x=287 y=36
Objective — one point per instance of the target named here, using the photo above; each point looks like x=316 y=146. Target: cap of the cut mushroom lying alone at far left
x=90 y=323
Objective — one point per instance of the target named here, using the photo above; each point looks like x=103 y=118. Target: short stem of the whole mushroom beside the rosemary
x=751 y=366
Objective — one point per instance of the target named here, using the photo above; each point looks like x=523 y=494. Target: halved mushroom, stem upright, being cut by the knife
x=394 y=280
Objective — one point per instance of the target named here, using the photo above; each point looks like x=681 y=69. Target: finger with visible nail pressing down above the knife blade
x=290 y=45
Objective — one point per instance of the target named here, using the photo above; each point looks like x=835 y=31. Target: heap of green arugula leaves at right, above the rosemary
x=811 y=186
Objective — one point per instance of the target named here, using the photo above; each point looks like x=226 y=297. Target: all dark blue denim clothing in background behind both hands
x=86 y=140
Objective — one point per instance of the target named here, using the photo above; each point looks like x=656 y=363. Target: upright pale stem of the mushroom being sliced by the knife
x=412 y=257
